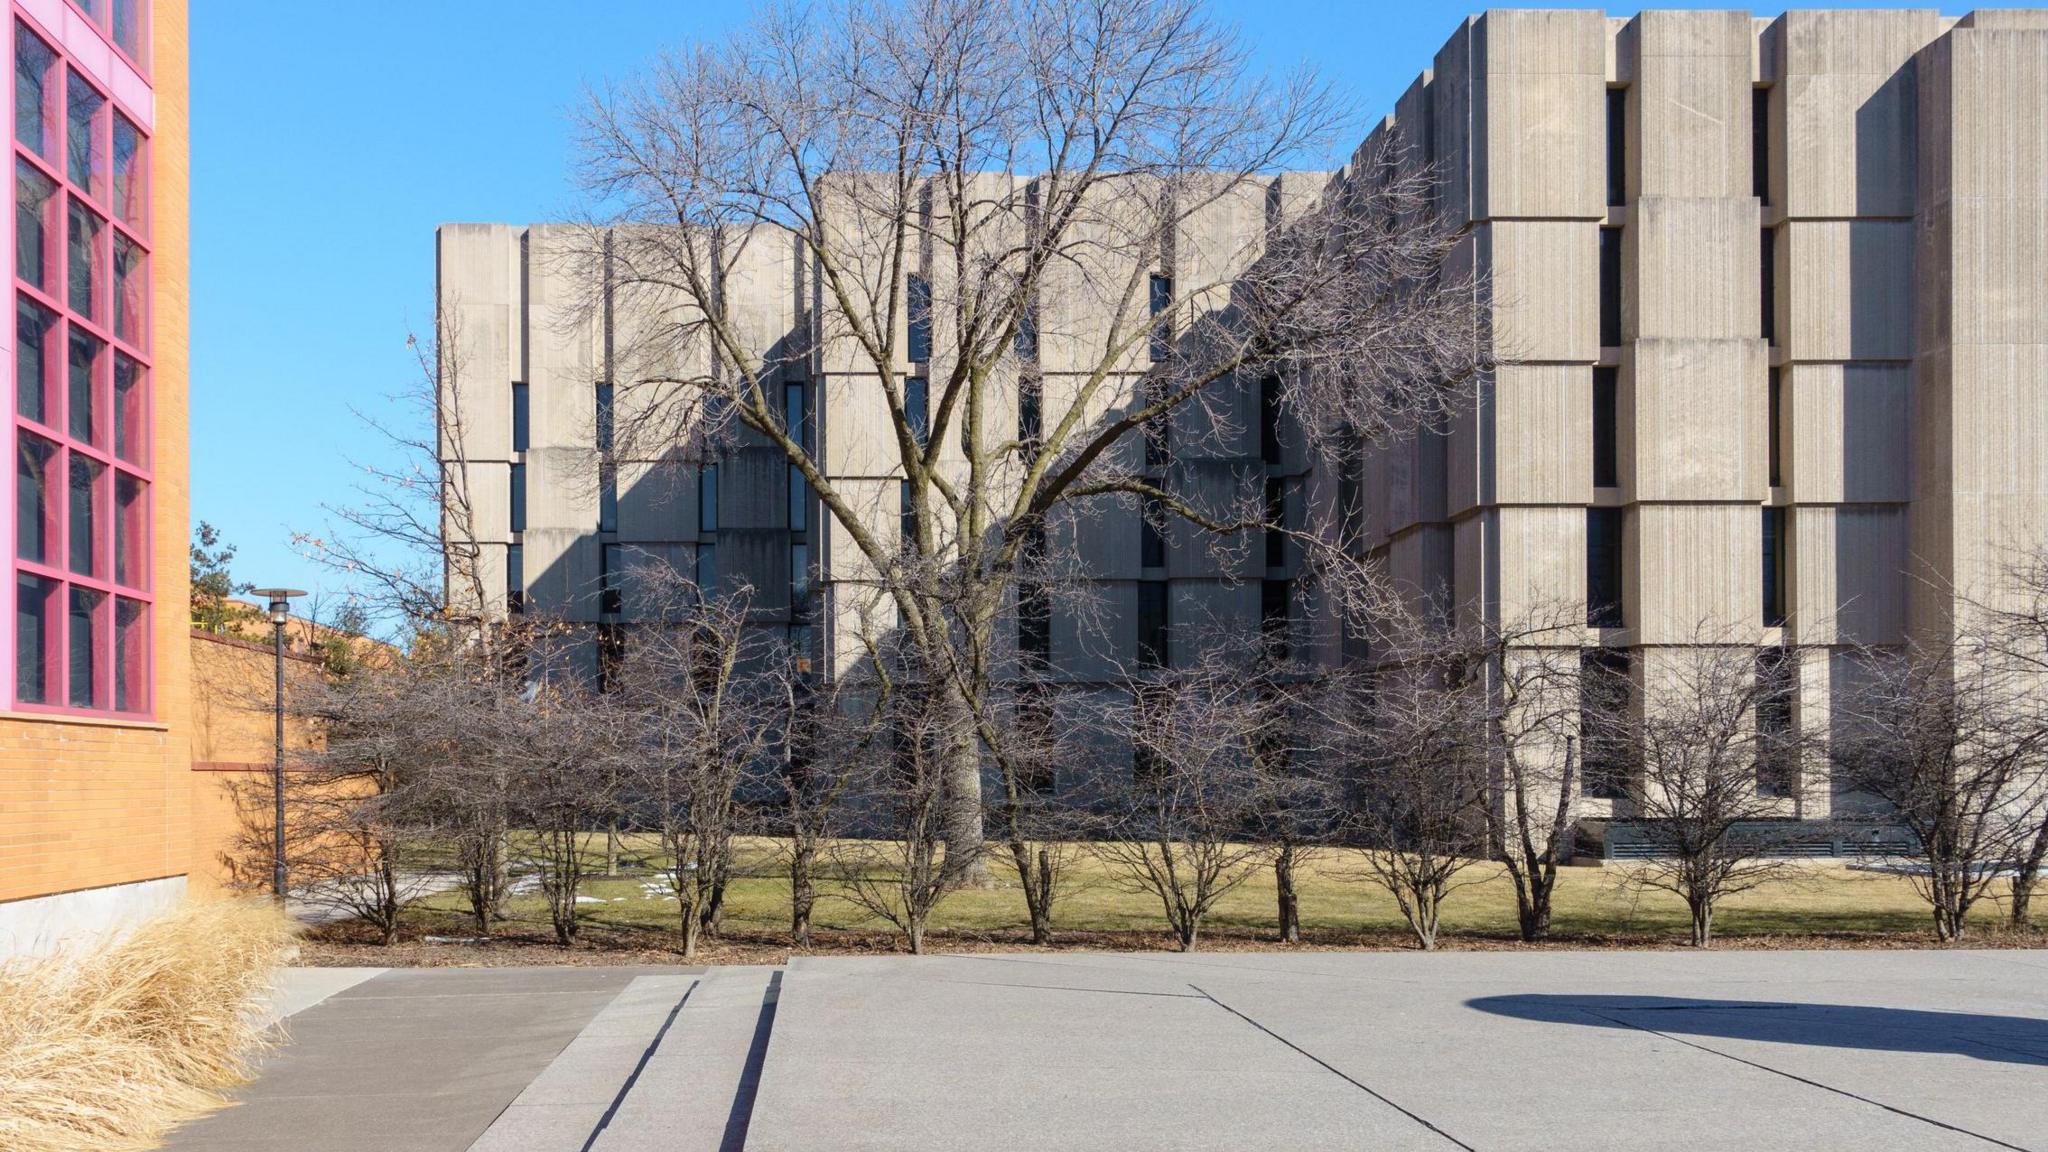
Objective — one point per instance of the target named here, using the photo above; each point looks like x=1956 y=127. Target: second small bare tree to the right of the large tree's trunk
x=1183 y=827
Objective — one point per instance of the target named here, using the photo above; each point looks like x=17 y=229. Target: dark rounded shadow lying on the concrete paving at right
x=2016 y=1040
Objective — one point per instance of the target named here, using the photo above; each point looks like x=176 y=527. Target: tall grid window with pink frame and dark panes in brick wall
x=81 y=382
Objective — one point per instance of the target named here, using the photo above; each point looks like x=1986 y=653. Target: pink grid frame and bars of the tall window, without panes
x=103 y=450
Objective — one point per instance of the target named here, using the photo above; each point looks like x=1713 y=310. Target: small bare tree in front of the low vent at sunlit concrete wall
x=1707 y=751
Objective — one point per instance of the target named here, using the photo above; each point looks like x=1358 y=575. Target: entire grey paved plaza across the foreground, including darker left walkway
x=1744 y=1051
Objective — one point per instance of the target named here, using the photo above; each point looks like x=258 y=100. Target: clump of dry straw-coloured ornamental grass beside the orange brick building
x=116 y=1046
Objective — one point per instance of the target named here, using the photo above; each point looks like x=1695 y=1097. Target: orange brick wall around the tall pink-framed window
x=91 y=805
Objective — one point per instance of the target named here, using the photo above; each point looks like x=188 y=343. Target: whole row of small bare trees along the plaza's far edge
x=1451 y=749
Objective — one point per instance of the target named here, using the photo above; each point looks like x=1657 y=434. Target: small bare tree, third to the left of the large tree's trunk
x=706 y=702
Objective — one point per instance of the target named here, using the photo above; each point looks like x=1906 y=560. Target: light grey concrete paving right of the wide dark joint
x=1457 y=1051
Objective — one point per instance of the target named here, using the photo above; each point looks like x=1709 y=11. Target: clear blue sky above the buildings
x=331 y=138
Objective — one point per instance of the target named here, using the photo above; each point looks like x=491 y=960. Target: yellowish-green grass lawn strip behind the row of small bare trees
x=1834 y=903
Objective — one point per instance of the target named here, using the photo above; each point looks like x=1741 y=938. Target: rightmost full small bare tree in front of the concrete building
x=1947 y=735
